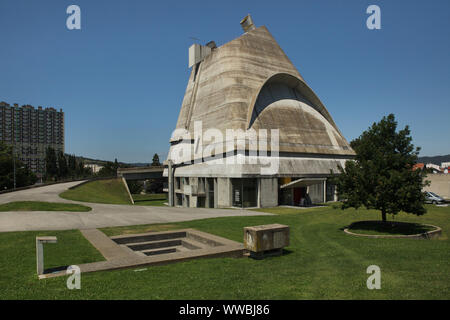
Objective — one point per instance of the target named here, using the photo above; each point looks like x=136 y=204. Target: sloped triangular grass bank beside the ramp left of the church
x=101 y=191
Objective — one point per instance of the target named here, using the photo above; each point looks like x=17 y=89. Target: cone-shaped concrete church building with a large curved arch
x=250 y=83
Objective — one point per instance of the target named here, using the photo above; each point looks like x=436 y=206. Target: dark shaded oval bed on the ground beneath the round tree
x=390 y=227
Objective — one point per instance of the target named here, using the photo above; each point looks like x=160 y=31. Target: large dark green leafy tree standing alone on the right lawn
x=381 y=175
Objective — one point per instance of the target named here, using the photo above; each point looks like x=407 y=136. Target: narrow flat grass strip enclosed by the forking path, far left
x=43 y=206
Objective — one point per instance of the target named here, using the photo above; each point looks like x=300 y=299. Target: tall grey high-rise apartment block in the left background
x=30 y=132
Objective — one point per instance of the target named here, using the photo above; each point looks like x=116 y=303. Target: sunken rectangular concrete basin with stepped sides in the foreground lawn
x=154 y=248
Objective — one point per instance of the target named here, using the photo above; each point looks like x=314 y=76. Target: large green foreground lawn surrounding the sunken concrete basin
x=322 y=262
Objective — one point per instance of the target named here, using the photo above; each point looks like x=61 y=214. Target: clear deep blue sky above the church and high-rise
x=121 y=79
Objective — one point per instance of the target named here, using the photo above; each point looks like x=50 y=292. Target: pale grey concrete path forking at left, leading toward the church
x=102 y=215
